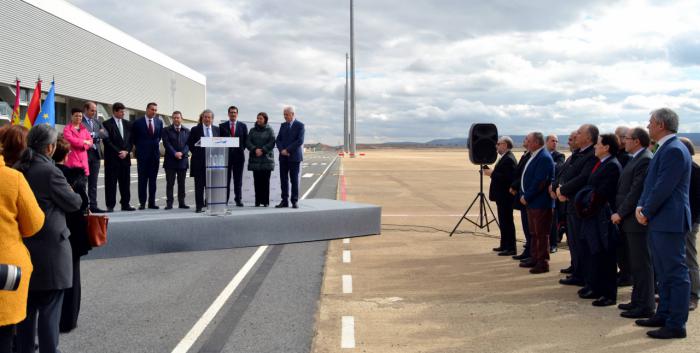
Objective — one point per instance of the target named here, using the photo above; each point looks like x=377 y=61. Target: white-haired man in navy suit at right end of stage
x=290 y=143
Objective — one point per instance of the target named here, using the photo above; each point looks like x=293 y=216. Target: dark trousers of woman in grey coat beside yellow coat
x=46 y=304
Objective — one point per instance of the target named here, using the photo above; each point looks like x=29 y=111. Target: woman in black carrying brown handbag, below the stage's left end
x=79 y=241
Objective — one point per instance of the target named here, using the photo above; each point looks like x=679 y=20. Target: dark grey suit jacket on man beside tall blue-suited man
x=629 y=189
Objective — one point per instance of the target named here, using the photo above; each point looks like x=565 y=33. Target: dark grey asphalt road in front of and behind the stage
x=149 y=303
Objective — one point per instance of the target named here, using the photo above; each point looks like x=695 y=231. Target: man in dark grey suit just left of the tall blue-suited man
x=629 y=189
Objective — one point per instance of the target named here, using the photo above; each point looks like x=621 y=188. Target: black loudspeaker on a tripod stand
x=482 y=150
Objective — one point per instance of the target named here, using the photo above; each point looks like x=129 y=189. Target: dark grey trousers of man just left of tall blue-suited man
x=641 y=270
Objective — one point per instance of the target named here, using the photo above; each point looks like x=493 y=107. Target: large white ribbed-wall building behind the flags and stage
x=89 y=60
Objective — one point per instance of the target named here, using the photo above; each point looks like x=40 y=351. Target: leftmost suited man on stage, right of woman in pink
x=97 y=132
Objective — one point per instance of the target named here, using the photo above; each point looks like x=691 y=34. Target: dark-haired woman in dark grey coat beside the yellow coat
x=50 y=248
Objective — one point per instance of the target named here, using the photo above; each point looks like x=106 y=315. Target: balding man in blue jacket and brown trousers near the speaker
x=536 y=179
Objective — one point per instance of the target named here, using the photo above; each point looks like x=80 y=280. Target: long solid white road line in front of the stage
x=201 y=324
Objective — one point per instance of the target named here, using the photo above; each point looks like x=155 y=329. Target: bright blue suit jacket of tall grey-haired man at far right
x=665 y=201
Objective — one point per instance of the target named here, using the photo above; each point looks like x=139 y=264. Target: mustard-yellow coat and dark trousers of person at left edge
x=20 y=216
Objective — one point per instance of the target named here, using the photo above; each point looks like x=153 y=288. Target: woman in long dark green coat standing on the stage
x=261 y=144
